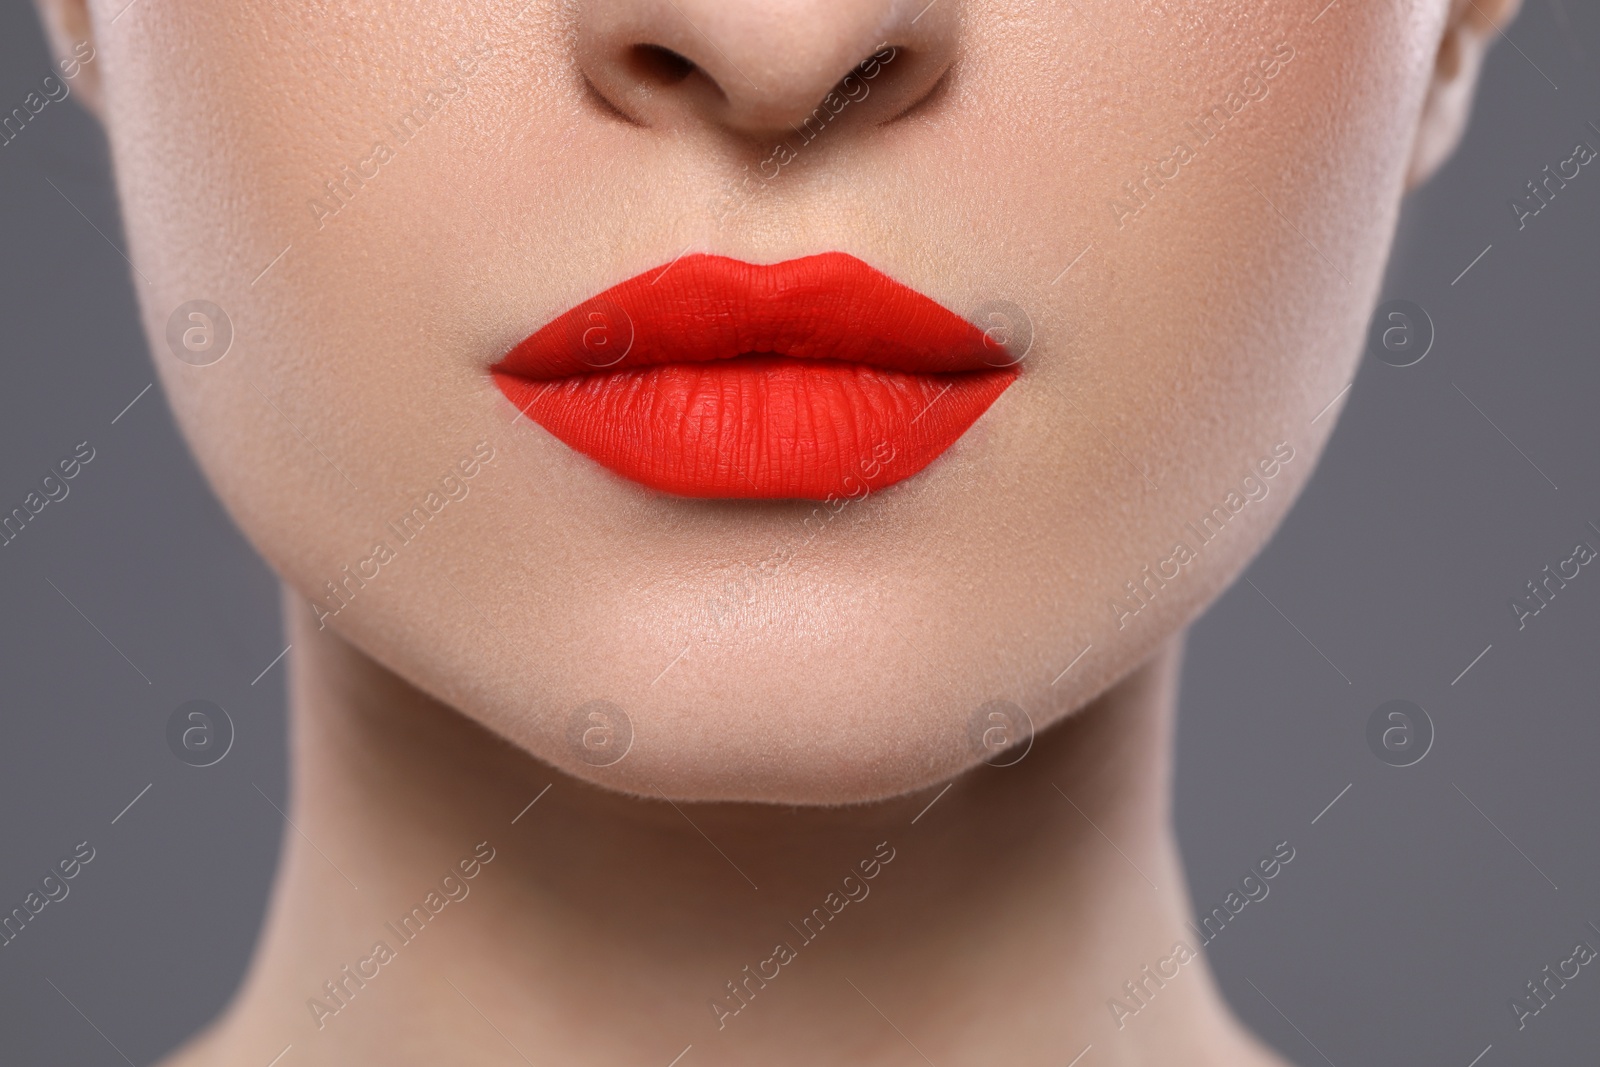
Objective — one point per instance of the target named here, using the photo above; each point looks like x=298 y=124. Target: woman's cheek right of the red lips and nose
x=1183 y=327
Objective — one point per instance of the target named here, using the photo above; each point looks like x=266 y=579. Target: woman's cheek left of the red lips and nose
x=297 y=174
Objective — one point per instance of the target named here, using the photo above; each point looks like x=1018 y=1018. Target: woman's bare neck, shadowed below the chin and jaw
x=993 y=927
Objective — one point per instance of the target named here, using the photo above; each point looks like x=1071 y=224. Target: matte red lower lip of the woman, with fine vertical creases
x=761 y=426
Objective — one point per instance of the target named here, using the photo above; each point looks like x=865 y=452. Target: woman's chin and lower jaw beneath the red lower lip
x=833 y=684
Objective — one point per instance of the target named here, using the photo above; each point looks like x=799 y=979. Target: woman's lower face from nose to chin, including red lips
x=753 y=404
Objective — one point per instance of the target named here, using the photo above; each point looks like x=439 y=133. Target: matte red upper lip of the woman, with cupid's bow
x=703 y=308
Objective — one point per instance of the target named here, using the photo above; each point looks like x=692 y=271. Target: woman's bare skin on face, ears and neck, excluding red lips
x=801 y=685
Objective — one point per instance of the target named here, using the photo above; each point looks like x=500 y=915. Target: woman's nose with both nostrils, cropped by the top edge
x=761 y=68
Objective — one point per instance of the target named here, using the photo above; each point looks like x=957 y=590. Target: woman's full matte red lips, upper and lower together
x=719 y=378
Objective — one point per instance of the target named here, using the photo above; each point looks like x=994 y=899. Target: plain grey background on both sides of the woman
x=1398 y=937
